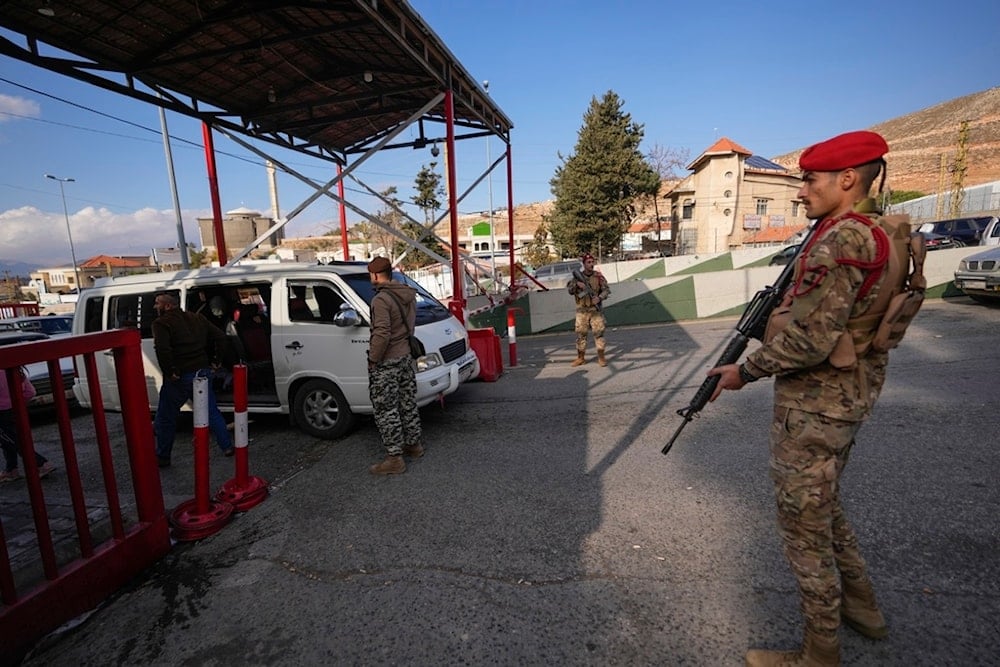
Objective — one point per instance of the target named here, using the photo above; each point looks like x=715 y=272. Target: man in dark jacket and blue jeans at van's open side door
x=187 y=345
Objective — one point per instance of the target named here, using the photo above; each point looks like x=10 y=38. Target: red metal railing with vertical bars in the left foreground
x=78 y=582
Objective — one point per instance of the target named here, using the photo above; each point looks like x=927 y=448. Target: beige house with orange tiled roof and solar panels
x=733 y=199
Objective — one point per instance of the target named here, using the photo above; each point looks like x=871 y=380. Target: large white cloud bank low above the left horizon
x=30 y=235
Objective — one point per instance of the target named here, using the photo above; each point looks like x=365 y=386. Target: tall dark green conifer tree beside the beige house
x=596 y=187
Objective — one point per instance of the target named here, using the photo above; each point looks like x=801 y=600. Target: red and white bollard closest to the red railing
x=201 y=516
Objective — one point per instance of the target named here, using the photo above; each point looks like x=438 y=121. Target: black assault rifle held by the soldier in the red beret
x=751 y=325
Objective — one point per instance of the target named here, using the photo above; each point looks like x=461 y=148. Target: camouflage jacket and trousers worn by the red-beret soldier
x=818 y=410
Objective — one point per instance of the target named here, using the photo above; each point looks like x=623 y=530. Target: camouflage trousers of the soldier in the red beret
x=808 y=455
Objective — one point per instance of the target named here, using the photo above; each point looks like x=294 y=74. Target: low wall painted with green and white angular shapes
x=675 y=289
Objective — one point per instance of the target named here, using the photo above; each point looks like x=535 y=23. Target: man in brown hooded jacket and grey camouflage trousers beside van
x=392 y=378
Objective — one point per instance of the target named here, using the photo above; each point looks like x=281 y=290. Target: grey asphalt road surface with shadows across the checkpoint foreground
x=544 y=526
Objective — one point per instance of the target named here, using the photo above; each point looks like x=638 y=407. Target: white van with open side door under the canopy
x=301 y=329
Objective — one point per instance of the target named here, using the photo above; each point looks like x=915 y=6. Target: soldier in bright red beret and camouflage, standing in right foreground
x=819 y=404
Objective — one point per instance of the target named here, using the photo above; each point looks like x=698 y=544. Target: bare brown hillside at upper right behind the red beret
x=918 y=140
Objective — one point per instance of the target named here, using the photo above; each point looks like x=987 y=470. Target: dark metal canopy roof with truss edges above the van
x=328 y=78
